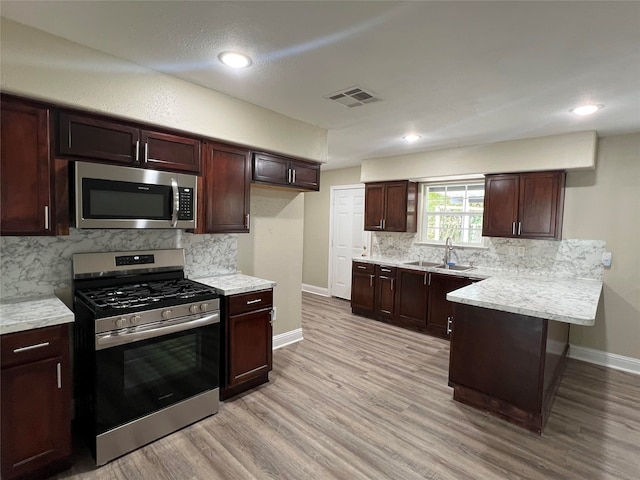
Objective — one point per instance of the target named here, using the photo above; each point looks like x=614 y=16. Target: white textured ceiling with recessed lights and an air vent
x=457 y=73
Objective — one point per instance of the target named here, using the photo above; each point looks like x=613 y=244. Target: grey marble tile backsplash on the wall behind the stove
x=37 y=266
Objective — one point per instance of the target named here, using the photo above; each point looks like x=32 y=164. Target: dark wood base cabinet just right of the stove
x=247 y=340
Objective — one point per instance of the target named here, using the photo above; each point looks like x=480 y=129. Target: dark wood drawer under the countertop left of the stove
x=31 y=345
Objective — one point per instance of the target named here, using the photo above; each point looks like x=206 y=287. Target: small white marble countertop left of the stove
x=28 y=314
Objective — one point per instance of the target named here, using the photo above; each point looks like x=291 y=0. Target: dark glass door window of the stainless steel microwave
x=110 y=199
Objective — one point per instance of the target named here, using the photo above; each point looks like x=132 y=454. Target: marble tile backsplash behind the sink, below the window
x=565 y=258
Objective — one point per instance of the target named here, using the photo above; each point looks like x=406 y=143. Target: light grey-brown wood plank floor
x=359 y=399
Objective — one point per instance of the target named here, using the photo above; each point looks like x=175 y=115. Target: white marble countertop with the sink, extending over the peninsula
x=569 y=300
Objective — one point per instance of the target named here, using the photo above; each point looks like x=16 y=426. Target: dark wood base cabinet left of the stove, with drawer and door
x=35 y=403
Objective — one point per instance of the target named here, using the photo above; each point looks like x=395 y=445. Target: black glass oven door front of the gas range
x=139 y=378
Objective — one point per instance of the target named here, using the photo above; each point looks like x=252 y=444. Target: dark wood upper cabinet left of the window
x=391 y=206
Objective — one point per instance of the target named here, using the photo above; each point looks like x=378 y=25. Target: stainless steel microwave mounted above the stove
x=109 y=196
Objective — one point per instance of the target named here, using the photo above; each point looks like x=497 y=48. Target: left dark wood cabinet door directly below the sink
x=412 y=298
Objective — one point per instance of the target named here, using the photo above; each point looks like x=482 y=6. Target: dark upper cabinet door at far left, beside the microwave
x=26 y=173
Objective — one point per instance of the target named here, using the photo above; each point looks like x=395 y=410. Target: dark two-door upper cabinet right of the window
x=526 y=205
